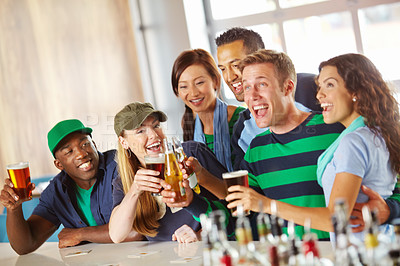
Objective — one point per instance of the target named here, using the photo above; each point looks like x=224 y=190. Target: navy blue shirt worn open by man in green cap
x=58 y=203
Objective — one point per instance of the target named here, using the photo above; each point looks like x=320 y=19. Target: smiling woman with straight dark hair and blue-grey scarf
x=207 y=119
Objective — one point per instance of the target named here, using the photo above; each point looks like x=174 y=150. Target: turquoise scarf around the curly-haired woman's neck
x=327 y=155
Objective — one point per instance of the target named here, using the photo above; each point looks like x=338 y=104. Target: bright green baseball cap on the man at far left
x=62 y=129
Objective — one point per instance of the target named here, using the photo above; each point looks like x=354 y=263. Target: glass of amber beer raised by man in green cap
x=21 y=179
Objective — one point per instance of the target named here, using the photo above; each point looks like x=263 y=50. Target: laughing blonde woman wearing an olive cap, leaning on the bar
x=139 y=133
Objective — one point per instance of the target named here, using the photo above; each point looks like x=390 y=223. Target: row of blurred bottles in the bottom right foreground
x=275 y=248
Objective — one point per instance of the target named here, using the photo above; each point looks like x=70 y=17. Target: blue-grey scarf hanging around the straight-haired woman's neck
x=222 y=143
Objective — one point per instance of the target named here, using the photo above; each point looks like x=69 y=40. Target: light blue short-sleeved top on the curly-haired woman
x=363 y=154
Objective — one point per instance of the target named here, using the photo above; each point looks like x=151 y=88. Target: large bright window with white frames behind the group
x=311 y=31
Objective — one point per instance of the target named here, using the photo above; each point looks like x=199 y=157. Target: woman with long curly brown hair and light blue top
x=352 y=92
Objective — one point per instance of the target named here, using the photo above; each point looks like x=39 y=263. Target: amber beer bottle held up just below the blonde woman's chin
x=172 y=172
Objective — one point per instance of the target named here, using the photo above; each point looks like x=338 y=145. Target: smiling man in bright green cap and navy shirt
x=79 y=197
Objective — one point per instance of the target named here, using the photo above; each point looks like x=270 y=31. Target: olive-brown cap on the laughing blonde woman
x=133 y=115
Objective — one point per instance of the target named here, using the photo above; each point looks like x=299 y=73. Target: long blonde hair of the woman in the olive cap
x=145 y=220
